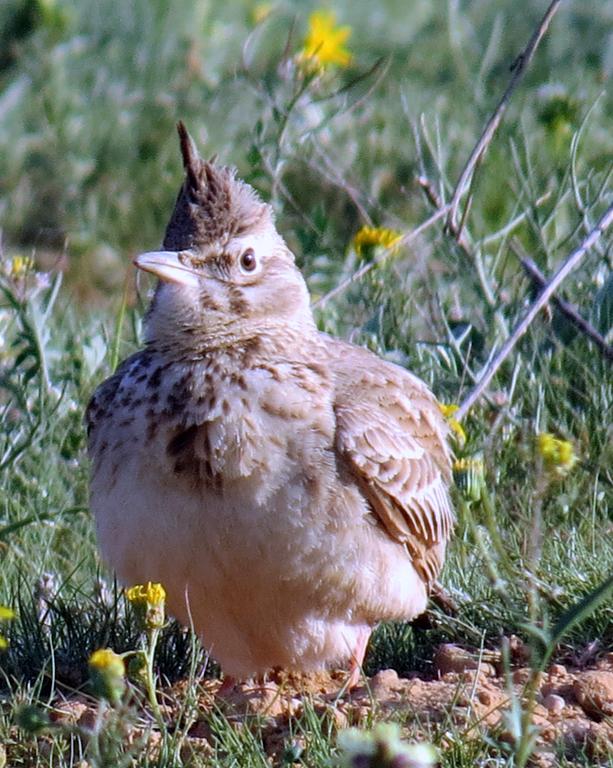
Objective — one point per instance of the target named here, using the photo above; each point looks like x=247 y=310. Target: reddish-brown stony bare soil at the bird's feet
x=470 y=696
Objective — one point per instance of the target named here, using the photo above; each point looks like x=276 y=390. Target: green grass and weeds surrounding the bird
x=89 y=94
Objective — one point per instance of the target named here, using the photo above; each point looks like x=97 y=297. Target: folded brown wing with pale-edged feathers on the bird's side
x=391 y=434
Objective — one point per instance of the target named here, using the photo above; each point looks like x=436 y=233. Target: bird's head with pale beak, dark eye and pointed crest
x=225 y=272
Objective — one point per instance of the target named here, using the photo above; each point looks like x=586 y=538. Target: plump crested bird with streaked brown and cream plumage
x=289 y=489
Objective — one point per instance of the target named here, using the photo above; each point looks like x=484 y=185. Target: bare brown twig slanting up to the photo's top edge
x=518 y=68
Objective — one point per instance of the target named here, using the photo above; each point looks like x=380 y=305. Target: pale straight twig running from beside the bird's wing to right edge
x=567 y=267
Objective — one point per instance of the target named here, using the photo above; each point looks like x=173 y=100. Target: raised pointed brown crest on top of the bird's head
x=212 y=205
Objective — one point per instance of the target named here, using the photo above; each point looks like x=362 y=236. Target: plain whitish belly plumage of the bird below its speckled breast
x=263 y=575
